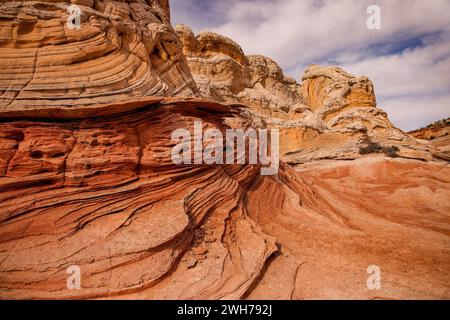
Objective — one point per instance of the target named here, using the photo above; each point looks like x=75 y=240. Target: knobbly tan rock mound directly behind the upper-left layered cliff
x=224 y=73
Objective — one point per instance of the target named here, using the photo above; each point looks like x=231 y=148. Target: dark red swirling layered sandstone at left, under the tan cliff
x=104 y=194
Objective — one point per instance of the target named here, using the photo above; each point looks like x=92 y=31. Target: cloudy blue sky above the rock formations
x=408 y=59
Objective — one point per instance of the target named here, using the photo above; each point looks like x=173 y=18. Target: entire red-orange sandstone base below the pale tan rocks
x=102 y=193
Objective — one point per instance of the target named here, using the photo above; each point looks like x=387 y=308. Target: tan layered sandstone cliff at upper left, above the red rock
x=123 y=49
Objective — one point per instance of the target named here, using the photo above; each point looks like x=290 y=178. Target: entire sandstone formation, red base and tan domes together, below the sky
x=86 y=176
